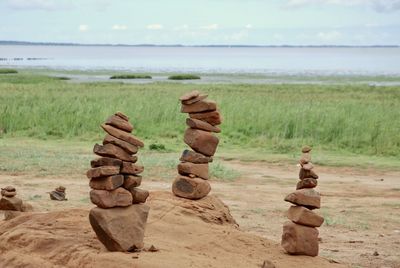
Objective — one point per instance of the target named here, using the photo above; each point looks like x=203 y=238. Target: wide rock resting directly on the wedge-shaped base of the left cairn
x=119 y=197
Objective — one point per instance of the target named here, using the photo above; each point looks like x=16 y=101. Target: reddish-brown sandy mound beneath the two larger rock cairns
x=187 y=234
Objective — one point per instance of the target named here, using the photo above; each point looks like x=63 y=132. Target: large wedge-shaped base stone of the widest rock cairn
x=120 y=229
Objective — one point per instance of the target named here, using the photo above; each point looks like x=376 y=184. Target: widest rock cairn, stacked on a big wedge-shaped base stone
x=120 y=216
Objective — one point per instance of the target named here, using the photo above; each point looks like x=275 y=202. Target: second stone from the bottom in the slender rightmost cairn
x=304 y=216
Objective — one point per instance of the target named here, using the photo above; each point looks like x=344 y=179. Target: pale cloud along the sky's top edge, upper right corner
x=378 y=5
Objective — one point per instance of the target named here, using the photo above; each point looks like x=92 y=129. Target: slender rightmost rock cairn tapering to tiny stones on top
x=300 y=237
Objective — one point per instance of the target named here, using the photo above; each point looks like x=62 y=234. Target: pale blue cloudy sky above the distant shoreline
x=200 y=22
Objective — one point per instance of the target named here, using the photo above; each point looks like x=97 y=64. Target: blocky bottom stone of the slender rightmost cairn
x=300 y=240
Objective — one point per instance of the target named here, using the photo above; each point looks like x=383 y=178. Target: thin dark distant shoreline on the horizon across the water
x=26 y=43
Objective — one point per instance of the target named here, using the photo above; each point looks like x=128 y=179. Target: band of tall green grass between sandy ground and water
x=357 y=120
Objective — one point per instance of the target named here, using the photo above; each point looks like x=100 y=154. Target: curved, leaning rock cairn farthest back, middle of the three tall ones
x=204 y=117
